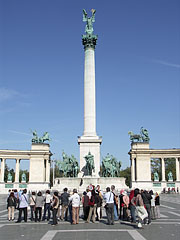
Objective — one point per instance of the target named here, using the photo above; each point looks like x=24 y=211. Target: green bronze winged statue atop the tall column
x=89 y=21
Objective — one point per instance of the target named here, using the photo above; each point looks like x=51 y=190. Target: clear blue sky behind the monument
x=137 y=73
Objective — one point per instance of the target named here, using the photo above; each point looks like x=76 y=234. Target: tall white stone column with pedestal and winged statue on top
x=89 y=142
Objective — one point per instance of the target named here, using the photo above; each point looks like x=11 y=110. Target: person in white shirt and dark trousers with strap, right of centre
x=109 y=199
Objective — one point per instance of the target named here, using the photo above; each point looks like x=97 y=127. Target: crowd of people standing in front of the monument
x=137 y=206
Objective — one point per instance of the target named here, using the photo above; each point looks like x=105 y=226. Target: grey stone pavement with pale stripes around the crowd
x=166 y=228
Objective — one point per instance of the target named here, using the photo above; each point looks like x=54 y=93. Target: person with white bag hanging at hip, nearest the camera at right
x=137 y=201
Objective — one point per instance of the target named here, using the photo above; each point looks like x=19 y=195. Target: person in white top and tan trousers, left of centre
x=75 y=198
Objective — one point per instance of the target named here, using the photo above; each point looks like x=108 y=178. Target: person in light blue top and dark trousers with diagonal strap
x=23 y=204
